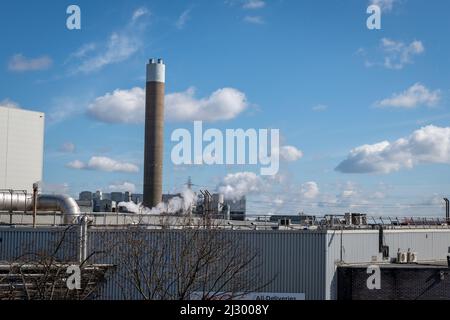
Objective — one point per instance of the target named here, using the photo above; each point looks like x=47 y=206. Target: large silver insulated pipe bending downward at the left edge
x=10 y=201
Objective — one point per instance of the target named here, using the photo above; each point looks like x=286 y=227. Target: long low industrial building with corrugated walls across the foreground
x=321 y=262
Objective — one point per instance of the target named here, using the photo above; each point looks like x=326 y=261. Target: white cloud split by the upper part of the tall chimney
x=128 y=106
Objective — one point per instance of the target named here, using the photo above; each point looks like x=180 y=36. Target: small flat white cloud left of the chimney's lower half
x=104 y=164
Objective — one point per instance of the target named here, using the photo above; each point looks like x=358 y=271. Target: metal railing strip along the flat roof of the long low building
x=286 y=222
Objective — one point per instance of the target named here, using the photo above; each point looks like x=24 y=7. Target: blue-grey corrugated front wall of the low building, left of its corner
x=295 y=260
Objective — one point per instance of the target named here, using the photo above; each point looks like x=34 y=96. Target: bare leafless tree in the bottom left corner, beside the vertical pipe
x=42 y=274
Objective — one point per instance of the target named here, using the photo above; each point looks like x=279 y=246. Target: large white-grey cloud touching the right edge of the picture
x=430 y=144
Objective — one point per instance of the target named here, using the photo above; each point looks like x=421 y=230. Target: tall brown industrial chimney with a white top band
x=154 y=132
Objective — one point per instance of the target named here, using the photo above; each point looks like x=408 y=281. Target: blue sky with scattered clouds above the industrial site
x=310 y=68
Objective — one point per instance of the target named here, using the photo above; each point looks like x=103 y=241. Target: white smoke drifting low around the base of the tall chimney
x=183 y=203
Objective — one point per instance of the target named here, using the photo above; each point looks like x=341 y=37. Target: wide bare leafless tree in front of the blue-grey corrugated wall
x=196 y=259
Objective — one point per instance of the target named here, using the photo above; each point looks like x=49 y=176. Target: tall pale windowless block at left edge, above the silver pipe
x=21 y=148
